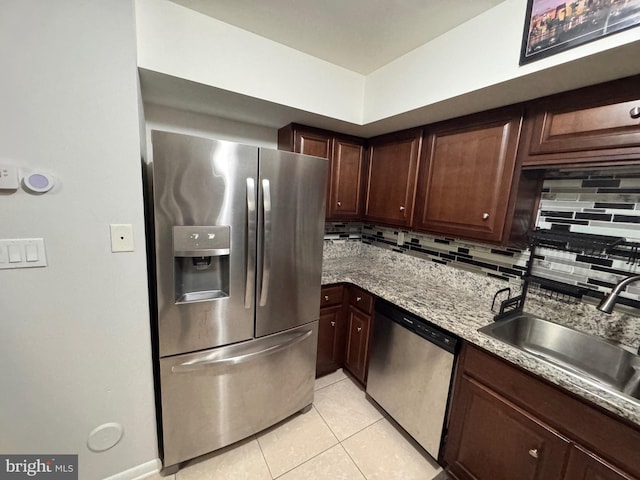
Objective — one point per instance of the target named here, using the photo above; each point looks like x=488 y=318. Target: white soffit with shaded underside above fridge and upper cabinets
x=186 y=78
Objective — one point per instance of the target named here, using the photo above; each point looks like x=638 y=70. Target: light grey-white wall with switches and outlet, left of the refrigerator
x=75 y=347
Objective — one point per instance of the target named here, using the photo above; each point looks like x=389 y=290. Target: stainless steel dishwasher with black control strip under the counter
x=410 y=373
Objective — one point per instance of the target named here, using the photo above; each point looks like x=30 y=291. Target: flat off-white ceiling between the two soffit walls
x=360 y=35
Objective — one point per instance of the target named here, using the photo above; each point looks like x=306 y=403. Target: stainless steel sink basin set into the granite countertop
x=583 y=354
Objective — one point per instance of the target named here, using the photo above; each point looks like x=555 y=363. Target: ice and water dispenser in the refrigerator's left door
x=201 y=263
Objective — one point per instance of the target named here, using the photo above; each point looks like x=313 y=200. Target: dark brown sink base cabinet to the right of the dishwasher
x=507 y=424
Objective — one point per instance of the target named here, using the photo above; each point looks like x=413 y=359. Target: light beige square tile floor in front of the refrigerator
x=343 y=437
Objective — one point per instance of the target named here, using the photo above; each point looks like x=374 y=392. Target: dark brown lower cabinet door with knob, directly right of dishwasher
x=492 y=439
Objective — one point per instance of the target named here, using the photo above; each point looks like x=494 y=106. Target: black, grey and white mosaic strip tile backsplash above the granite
x=604 y=202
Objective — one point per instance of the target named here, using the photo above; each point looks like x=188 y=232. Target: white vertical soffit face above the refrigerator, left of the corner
x=177 y=41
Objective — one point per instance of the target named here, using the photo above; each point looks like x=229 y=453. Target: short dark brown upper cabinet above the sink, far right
x=599 y=124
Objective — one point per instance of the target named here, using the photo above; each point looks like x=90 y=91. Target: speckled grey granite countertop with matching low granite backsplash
x=460 y=302
